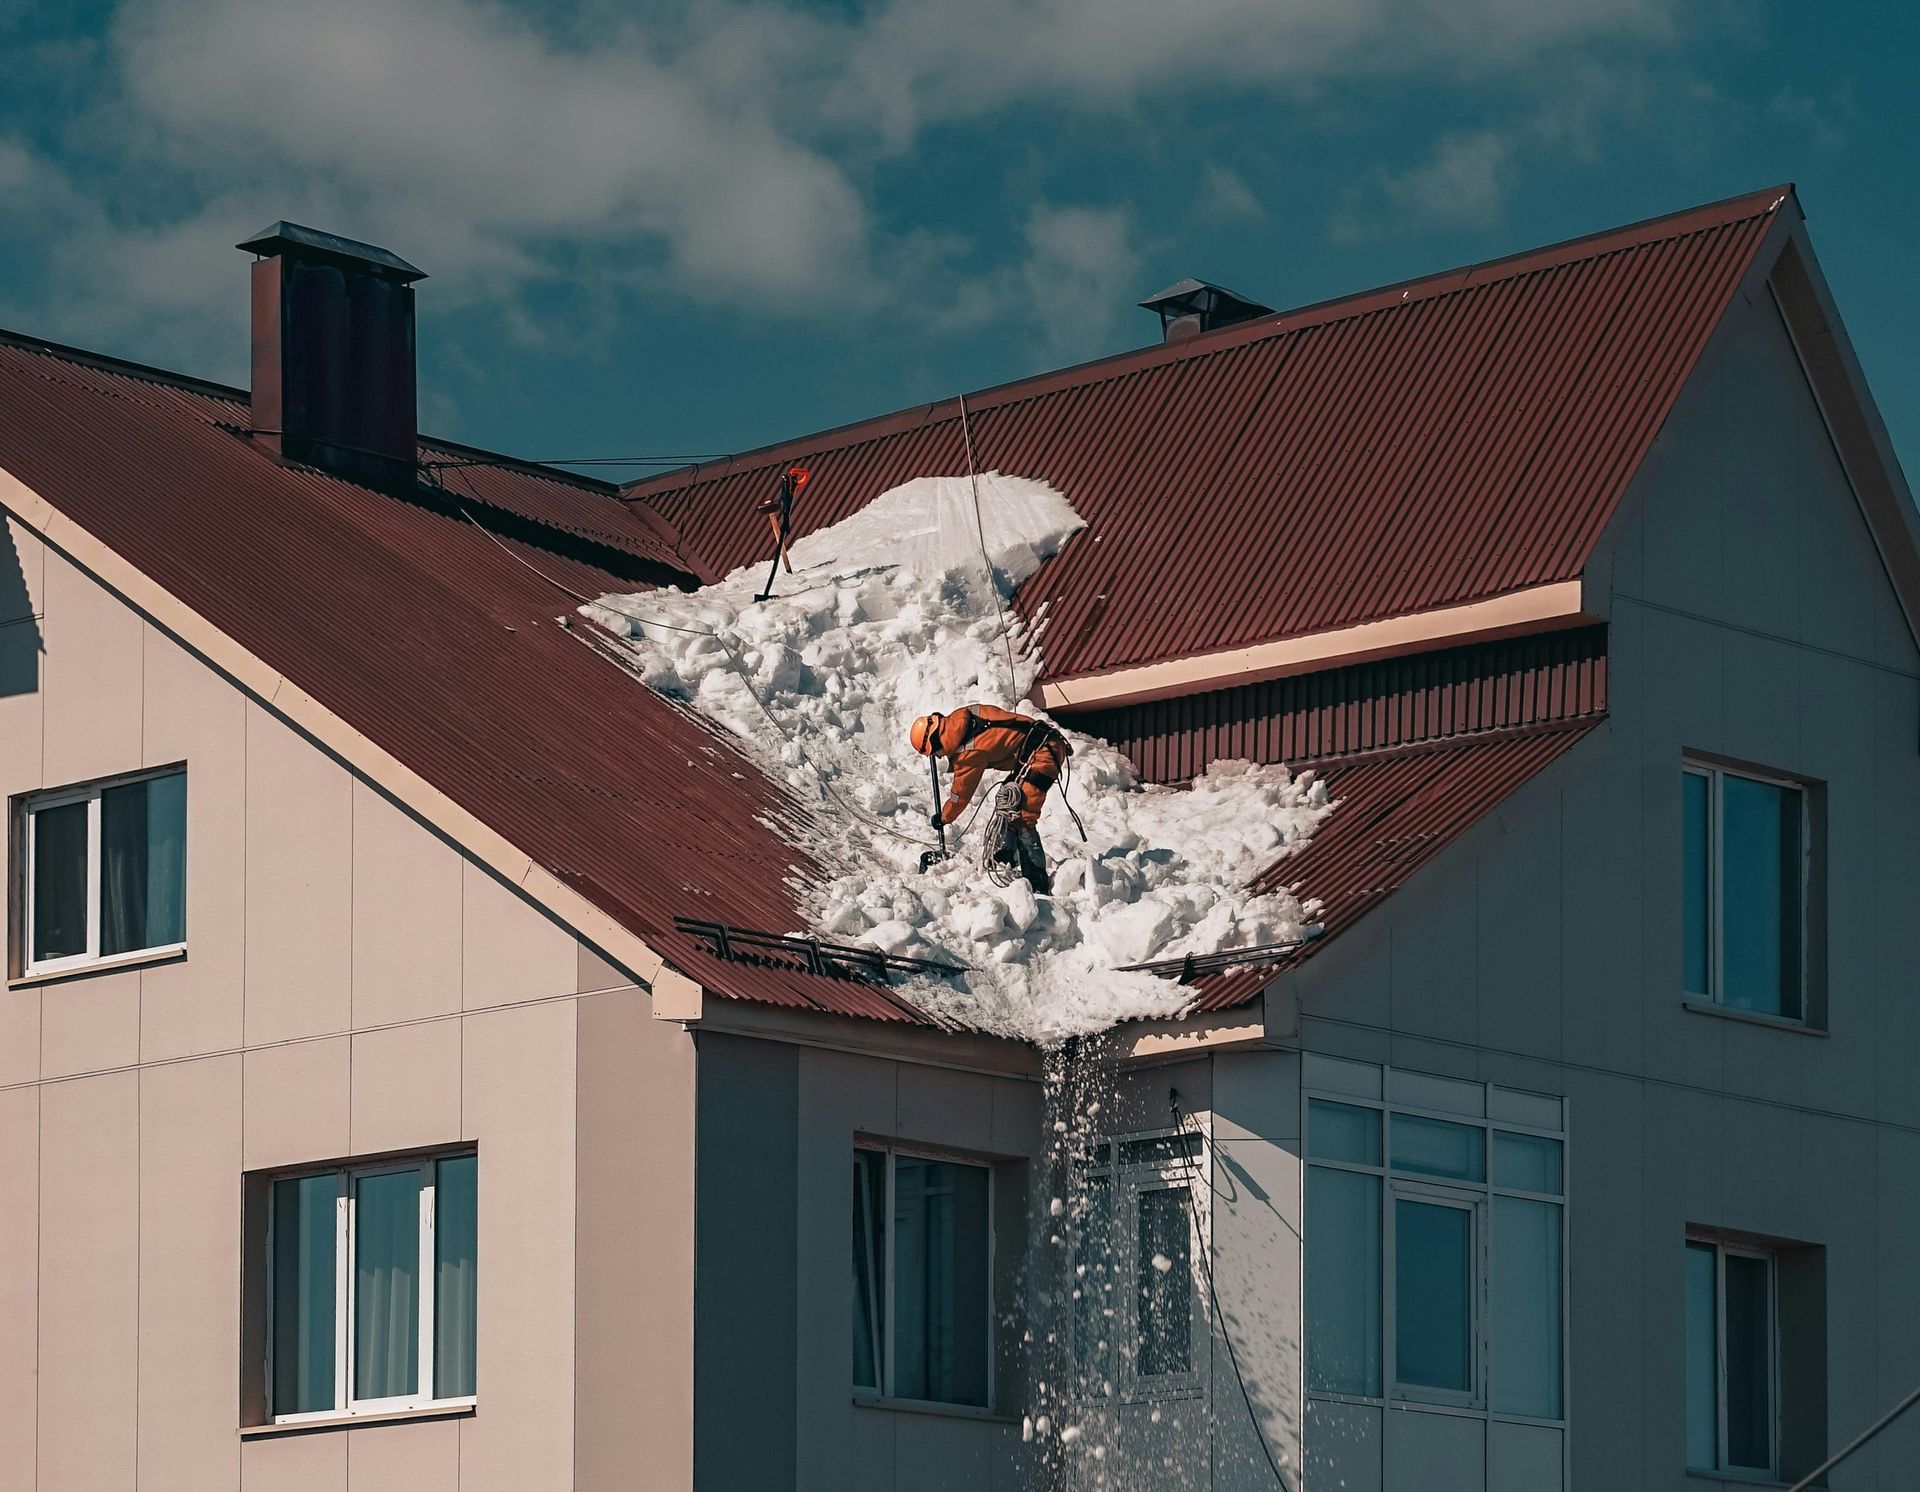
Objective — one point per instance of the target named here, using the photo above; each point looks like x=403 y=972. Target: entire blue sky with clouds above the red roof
x=698 y=228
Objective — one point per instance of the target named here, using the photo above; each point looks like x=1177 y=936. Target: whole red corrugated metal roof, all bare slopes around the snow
x=1416 y=446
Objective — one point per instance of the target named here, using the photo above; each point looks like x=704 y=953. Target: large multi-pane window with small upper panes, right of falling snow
x=1433 y=1259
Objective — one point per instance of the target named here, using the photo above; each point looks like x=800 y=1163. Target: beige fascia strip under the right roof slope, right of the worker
x=1533 y=610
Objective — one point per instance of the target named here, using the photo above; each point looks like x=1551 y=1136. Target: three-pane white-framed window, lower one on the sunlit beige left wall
x=372 y=1287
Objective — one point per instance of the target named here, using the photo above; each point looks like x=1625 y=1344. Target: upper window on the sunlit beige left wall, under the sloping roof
x=105 y=871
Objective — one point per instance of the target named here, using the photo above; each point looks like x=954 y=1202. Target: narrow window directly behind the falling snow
x=1136 y=1320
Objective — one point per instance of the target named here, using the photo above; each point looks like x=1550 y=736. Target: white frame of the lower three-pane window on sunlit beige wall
x=347 y=1190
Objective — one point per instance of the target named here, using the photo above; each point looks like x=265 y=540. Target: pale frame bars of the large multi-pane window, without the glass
x=1479 y=1199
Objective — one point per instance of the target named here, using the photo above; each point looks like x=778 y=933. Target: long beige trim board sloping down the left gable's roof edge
x=364 y=756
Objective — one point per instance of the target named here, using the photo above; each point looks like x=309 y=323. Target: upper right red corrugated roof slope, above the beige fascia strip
x=1431 y=445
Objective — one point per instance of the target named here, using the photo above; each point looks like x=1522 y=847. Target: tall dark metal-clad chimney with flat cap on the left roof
x=333 y=354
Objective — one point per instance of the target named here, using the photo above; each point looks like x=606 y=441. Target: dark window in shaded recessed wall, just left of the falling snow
x=923 y=1266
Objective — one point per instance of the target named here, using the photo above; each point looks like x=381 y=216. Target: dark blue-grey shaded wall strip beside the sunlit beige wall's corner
x=746 y=1264
